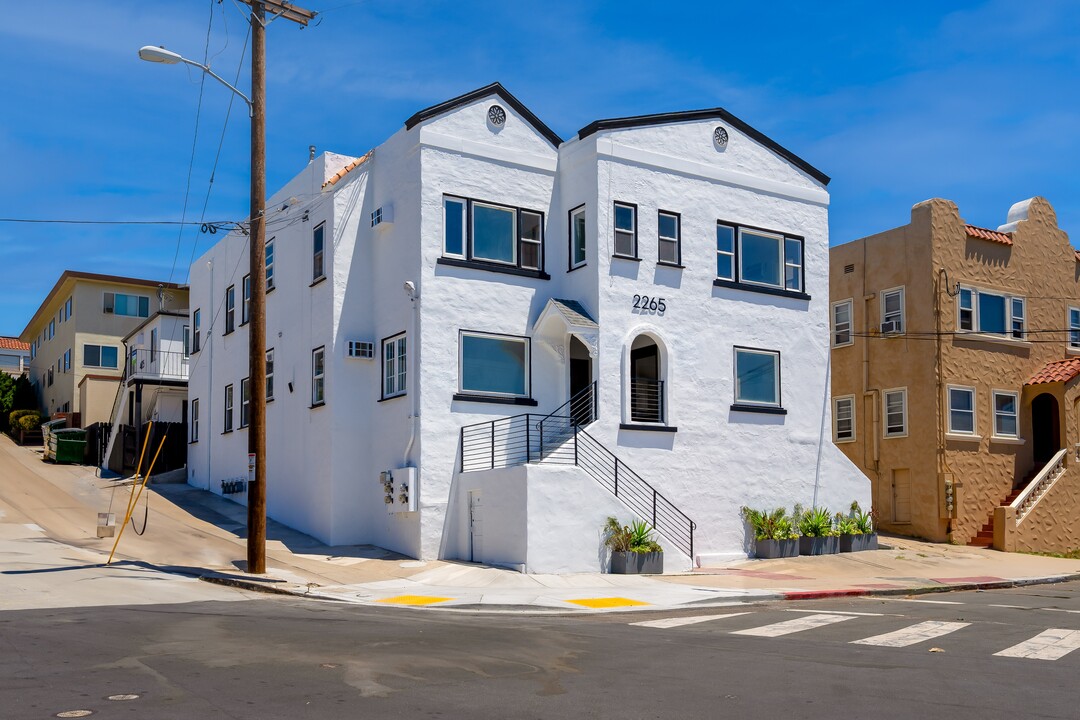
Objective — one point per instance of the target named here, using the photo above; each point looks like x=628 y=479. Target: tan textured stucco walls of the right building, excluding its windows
x=930 y=257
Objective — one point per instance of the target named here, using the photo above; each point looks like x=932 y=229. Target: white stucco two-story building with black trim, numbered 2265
x=477 y=271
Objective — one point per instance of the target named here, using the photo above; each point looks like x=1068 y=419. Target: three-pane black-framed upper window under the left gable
x=493 y=235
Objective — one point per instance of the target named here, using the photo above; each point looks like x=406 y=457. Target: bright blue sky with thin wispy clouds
x=975 y=102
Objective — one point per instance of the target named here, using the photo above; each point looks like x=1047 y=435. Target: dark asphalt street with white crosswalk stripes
x=990 y=655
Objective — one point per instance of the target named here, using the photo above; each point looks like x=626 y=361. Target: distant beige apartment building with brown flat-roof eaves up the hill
x=76 y=336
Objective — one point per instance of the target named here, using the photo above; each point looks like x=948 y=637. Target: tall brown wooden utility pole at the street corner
x=258 y=249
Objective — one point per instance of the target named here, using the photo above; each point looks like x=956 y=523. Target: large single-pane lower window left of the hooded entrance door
x=495 y=365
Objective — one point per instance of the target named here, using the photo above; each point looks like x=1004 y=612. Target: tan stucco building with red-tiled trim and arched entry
x=956 y=358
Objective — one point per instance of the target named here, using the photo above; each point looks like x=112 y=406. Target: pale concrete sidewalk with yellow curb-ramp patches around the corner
x=201 y=535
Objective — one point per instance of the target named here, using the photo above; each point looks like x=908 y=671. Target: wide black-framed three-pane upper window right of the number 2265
x=757 y=259
